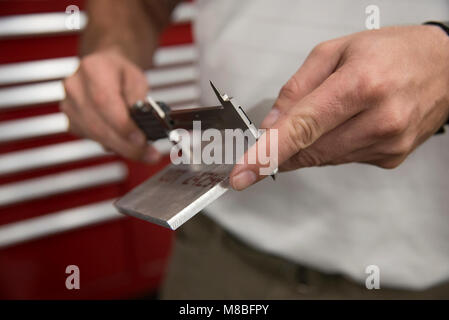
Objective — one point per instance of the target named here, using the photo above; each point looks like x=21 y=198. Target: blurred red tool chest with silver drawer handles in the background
x=56 y=190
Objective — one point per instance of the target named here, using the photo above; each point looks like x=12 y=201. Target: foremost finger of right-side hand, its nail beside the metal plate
x=322 y=110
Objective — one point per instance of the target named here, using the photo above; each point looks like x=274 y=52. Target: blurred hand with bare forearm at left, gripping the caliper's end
x=119 y=40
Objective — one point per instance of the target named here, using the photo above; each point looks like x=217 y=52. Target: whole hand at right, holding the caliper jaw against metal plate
x=372 y=97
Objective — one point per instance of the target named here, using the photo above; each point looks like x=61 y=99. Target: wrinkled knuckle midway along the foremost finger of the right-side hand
x=303 y=131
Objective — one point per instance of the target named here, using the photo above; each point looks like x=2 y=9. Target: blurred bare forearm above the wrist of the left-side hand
x=131 y=26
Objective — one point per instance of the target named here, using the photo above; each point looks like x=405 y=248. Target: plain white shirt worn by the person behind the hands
x=336 y=219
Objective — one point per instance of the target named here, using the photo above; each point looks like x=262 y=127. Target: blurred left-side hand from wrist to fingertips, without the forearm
x=97 y=99
